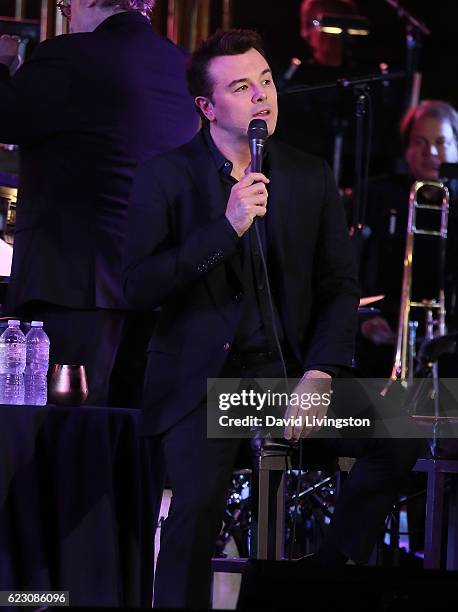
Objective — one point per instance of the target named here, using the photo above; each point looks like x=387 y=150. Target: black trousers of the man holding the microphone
x=199 y=470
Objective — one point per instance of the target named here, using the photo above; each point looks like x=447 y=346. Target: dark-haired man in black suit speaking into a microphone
x=190 y=249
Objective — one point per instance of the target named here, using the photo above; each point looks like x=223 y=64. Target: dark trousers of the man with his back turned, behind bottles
x=82 y=337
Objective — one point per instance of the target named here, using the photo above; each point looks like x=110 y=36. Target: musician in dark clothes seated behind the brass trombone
x=429 y=133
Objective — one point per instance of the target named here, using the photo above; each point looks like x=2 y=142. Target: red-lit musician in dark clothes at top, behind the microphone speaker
x=315 y=121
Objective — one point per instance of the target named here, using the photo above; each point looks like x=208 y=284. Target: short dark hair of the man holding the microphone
x=229 y=42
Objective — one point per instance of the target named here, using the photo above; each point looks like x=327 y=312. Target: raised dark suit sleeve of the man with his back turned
x=35 y=101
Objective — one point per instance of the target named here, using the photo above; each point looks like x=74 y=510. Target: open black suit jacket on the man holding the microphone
x=182 y=254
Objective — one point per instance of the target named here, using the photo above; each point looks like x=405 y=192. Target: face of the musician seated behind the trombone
x=431 y=143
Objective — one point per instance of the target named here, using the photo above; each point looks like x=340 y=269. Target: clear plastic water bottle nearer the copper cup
x=36 y=385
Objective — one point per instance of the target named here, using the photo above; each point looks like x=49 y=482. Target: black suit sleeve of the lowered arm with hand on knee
x=335 y=289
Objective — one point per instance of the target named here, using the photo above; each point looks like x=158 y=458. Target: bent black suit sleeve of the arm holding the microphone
x=158 y=264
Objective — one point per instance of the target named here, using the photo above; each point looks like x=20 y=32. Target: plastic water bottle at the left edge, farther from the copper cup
x=12 y=364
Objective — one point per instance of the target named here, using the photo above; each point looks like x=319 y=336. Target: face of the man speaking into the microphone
x=243 y=89
